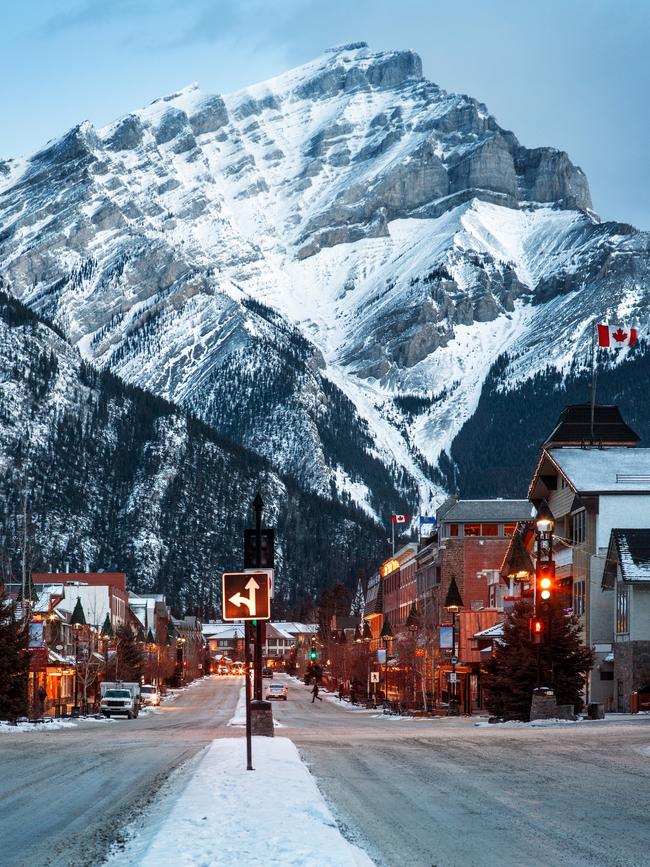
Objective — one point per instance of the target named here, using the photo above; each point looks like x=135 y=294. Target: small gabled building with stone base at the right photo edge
x=626 y=582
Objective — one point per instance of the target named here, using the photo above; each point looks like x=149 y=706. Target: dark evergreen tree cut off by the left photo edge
x=14 y=662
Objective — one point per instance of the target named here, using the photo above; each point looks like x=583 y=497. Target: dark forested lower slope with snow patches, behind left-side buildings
x=118 y=479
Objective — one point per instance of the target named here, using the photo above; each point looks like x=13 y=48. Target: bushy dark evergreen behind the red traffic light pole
x=512 y=671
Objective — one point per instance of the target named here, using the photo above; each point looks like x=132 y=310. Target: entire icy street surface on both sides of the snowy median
x=409 y=791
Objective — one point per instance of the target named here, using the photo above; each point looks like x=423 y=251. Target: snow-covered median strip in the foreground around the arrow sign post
x=228 y=816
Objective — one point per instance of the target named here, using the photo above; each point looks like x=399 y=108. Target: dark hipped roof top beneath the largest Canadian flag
x=573 y=427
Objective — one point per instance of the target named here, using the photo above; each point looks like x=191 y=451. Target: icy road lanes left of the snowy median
x=65 y=795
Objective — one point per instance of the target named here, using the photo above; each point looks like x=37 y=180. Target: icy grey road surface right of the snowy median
x=451 y=794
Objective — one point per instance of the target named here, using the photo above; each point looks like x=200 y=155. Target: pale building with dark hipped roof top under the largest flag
x=593 y=485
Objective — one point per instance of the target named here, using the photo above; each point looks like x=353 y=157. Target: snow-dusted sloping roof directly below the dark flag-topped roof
x=608 y=470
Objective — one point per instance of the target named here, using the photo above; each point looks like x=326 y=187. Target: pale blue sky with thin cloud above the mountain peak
x=573 y=74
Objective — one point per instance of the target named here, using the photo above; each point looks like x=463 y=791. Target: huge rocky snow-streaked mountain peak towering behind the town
x=325 y=266
